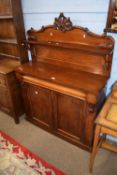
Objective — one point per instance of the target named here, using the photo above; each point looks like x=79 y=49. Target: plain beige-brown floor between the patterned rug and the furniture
x=65 y=156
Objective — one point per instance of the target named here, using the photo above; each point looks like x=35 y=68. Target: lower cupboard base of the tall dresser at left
x=10 y=95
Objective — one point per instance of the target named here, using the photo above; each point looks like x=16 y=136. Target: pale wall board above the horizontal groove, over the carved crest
x=49 y=6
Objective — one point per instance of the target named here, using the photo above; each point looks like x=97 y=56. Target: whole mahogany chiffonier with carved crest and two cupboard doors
x=63 y=85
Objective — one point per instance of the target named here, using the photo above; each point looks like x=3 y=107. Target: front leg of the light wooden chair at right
x=95 y=146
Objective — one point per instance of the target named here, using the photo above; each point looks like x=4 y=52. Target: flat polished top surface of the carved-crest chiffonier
x=75 y=79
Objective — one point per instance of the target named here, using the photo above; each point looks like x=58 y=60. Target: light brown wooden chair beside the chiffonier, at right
x=106 y=124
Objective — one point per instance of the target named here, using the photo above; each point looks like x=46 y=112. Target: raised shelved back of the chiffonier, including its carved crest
x=71 y=46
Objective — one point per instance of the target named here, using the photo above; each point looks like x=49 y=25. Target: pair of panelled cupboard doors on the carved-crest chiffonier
x=61 y=113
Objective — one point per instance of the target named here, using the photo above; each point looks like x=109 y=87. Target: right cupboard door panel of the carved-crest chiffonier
x=70 y=115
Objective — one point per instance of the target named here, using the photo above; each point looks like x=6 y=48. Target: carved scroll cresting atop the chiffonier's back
x=62 y=23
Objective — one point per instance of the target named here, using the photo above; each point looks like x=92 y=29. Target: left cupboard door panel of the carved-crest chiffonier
x=41 y=106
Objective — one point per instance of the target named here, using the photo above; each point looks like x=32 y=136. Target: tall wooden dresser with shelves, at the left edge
x=12 y=53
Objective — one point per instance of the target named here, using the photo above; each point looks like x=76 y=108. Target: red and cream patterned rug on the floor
x=17 y=160
